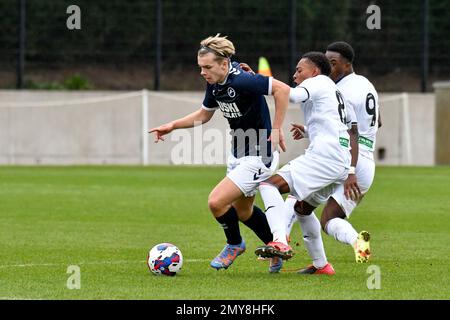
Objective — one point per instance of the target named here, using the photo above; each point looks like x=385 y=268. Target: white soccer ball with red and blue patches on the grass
x=165 y=259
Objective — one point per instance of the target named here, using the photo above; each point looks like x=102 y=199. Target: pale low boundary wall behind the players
x=65 y=127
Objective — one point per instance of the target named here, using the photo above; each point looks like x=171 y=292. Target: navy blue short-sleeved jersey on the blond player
x=242 y=102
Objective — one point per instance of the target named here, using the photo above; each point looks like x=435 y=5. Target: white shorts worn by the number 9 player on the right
x=365 y=172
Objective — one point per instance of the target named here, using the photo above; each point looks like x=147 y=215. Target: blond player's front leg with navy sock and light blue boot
x=220 y=203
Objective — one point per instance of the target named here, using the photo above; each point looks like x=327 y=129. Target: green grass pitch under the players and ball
x=105 y=219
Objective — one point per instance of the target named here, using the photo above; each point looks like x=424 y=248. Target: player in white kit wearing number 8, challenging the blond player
x=313 y=177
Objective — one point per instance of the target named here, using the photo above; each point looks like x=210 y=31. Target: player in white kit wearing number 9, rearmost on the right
x=361 y=96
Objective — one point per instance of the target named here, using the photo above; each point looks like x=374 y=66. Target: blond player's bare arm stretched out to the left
x=193 y=119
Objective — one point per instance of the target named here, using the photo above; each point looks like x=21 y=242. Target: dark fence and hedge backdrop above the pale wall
x=118 y=47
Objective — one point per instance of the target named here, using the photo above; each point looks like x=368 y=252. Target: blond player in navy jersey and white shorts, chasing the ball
x=254 y=156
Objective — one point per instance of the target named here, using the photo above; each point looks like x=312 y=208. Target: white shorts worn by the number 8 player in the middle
x=312 y=178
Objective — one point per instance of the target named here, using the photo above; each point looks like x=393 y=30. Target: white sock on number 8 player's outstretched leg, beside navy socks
x=275 y=211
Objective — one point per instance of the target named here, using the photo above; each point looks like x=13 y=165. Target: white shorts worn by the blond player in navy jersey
x=248 y=172
